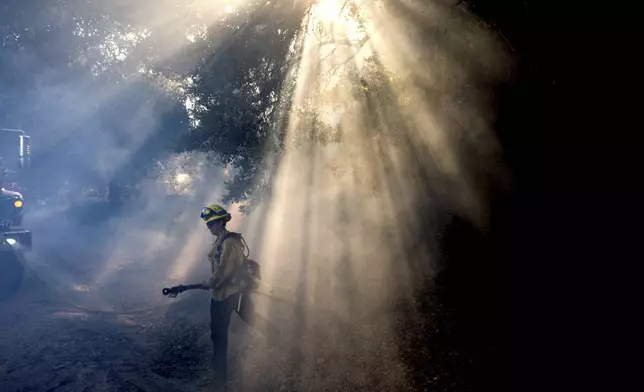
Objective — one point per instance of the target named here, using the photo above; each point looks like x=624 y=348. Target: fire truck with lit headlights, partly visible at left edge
x=15 y=160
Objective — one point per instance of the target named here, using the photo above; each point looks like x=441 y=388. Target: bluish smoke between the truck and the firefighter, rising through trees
x=99 y=121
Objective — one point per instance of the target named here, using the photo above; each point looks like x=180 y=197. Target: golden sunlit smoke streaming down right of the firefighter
x=359 y=201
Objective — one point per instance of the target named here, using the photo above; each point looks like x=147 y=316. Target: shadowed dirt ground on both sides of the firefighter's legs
x=49 y=344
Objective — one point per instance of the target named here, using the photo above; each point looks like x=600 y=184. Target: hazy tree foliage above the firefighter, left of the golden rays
x=230 y=69
